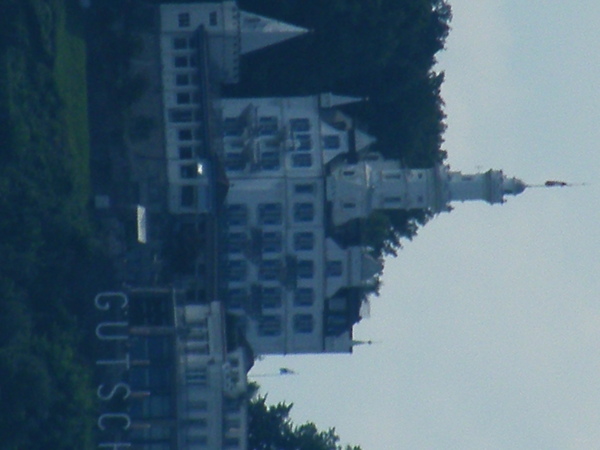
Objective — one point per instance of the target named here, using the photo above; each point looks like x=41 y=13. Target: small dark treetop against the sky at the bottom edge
x=271 y=428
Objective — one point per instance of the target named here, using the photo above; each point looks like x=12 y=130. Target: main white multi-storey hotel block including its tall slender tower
x=291 y=183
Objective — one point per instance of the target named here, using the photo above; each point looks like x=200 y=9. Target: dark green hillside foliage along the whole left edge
x=48 y=254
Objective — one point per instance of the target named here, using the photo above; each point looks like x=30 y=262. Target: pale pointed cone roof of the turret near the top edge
x=259 y=32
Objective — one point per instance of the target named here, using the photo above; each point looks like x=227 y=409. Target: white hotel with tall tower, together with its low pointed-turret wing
x=289 y=183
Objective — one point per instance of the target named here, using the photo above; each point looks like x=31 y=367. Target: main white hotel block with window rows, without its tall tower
x=284 y=273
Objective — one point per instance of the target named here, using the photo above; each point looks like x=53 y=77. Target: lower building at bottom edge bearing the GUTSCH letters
x=171 y=376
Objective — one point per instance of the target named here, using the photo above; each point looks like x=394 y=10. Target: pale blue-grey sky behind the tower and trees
x=487 y=328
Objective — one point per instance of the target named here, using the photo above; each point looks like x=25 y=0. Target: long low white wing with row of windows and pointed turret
x=197 y=42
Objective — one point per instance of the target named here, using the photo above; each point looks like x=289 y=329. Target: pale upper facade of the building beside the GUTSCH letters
x=212 y=401
